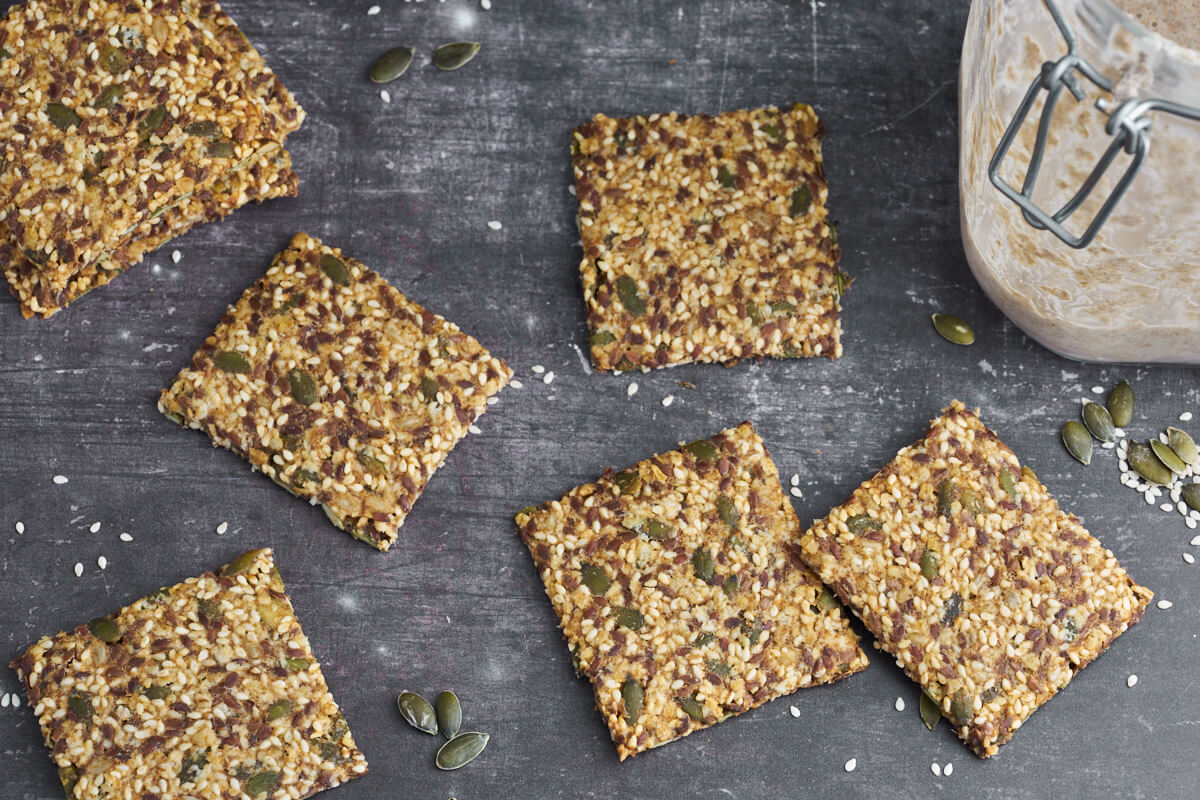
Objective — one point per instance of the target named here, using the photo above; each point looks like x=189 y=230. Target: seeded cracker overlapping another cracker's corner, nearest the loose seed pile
x=965 y=569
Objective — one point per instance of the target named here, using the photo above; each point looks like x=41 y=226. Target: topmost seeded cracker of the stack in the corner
x=116 y=113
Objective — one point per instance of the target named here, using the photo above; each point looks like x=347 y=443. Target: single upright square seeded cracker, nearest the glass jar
x=706 y=239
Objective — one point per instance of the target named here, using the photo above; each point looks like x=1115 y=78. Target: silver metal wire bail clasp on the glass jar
x=1129 y=125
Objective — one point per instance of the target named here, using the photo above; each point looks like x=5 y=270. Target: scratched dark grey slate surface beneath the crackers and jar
x=409 y=189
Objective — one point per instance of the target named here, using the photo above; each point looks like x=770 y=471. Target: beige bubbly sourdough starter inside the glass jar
x=1135 y=293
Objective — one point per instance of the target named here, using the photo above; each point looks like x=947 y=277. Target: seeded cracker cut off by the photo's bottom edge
x=205 y=689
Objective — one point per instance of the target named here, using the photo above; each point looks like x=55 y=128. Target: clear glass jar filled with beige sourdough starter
x=1132 y=294
